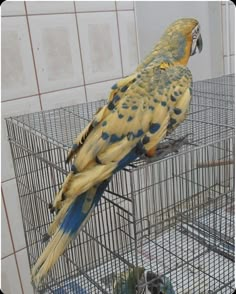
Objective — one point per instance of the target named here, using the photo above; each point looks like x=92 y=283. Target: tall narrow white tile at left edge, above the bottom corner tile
x=14 y=213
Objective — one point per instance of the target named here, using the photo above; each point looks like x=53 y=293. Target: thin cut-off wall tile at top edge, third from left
x=83 y=6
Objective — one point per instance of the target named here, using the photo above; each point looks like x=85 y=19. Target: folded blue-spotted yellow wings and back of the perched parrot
x=135 y=117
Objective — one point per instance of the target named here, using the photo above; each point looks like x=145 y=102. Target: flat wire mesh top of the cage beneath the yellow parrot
x=211 y=116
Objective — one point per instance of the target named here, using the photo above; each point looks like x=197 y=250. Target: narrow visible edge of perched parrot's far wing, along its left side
x=117 y=89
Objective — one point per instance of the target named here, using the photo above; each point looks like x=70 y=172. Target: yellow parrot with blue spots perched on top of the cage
x=141 y=110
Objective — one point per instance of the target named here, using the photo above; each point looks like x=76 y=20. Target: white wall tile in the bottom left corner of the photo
x=9 y=276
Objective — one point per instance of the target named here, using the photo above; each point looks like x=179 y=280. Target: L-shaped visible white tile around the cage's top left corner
x=13 y=108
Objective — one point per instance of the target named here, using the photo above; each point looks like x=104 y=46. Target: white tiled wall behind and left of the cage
x=64 y=76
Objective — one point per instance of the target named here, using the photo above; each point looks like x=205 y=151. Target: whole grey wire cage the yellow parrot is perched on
x=174 y=216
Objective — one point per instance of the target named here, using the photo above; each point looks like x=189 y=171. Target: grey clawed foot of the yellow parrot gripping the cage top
x=164 y=149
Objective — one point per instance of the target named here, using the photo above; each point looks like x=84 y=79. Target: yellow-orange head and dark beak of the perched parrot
x=184 y=37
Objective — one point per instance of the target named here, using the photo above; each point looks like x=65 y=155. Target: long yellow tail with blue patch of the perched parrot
x=74 y=220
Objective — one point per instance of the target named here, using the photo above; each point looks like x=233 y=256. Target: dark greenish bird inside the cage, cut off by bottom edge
x=140 y=281
